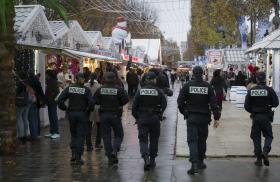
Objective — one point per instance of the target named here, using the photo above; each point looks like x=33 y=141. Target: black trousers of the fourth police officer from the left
x=197 y=134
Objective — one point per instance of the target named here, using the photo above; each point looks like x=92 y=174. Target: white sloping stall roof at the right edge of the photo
x=269 y=42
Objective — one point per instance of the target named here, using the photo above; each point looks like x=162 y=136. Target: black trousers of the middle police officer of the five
x=148 y=135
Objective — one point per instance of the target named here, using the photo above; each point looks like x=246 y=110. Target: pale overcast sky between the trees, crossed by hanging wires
x=174 y=17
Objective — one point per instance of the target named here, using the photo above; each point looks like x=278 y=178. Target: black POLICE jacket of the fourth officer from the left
x=197 y=96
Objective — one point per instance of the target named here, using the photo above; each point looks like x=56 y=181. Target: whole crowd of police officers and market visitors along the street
x=97 y=99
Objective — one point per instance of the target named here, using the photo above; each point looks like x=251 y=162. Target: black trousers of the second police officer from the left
x=109 y=121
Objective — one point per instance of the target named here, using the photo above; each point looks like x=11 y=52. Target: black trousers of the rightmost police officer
x=261 y=126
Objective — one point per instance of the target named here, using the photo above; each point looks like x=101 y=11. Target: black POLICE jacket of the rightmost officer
x=260 y=99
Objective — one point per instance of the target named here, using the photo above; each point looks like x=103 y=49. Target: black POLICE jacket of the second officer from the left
x=110 y=97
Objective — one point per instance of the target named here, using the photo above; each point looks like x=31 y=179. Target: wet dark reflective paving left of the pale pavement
x=48 y=160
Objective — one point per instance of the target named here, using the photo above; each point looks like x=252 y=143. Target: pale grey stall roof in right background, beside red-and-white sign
x=235 y=55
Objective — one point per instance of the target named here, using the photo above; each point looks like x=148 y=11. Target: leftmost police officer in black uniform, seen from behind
x=80 y=104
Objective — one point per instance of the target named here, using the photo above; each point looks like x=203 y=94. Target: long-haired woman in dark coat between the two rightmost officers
x=219 y=85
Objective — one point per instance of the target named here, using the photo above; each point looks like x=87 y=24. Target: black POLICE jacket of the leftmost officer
x=79 y=96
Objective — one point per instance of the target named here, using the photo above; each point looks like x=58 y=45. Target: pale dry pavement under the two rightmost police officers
x=232 y=138
